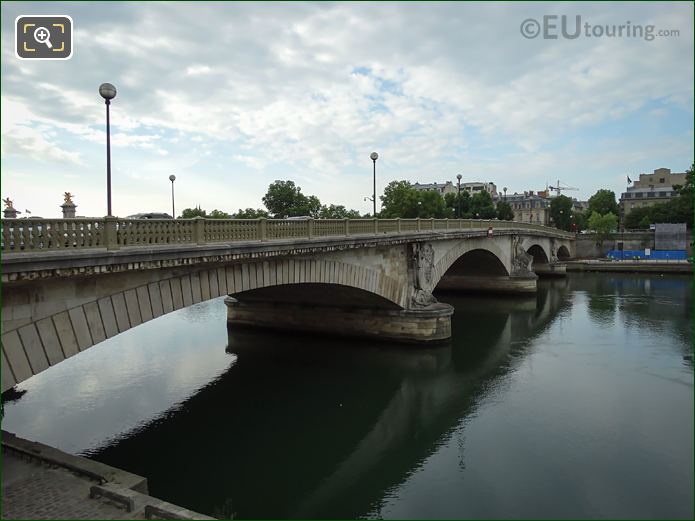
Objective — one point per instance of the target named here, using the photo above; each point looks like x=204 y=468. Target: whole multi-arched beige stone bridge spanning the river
x=69 y=284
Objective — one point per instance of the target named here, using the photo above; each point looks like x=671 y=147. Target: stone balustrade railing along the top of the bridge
x=112 y=233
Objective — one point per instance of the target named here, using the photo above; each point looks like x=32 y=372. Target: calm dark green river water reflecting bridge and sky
x=575 y=403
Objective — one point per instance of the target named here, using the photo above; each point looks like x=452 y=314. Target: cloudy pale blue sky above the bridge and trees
x=230 y=97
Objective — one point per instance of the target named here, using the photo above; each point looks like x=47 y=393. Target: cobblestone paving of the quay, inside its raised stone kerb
x=33 y=490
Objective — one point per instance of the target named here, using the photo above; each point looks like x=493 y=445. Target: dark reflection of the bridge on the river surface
x=358 y=423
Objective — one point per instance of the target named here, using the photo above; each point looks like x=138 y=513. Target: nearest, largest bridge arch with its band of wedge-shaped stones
x=41 y=342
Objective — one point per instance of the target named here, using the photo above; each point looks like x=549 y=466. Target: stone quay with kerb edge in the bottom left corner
x=42 y=482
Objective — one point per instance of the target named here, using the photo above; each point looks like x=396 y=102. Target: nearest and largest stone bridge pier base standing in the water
x=424 y=325
